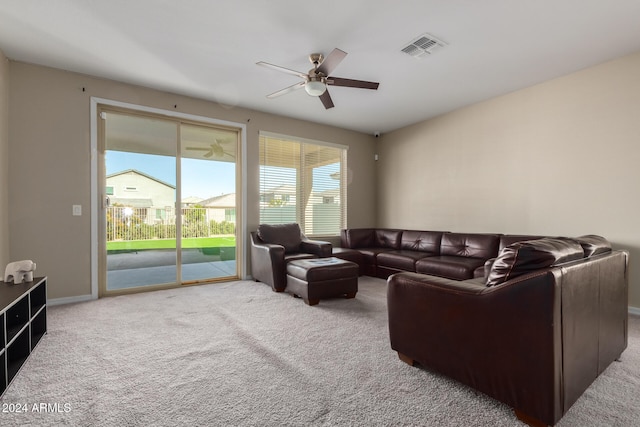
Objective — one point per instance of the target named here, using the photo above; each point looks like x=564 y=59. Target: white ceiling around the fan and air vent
x=208 y=48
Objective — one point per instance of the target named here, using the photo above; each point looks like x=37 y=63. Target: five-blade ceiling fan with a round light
x=316 y=80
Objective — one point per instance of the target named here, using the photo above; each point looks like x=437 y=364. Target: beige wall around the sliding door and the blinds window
x=49 y=154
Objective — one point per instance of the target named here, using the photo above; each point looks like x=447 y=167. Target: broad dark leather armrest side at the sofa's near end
x=503 y=341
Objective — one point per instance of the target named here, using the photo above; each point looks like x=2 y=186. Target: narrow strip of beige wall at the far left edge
x=4 y=163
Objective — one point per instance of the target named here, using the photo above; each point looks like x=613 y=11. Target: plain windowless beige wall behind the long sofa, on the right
x=559 y=158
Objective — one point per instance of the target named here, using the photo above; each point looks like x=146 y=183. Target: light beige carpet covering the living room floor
x=239 y=354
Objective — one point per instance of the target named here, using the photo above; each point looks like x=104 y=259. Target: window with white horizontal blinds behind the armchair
x=308 y=181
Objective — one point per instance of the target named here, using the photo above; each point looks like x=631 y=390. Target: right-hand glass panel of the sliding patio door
x=208 y=226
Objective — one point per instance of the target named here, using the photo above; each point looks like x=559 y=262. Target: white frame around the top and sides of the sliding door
x=95 y=179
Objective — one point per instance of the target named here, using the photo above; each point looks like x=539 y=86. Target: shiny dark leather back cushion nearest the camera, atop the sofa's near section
x=523 y=257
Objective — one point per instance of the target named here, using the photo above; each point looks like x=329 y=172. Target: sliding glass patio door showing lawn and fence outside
x=169 y=202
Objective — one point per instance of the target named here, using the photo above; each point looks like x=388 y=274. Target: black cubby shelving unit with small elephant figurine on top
x=23 y=322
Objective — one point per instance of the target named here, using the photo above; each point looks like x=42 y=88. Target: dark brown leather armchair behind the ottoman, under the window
x=273 y=246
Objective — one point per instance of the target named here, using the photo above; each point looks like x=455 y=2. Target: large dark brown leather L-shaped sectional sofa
x=528 y=320
